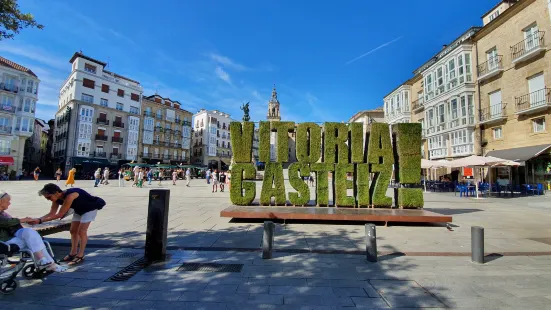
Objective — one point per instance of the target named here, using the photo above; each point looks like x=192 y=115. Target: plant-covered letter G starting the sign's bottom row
x=241 y=172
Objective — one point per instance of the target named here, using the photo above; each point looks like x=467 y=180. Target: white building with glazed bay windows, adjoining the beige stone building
x=448 y=99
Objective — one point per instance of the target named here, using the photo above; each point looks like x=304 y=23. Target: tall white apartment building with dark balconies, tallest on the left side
x=98 y=120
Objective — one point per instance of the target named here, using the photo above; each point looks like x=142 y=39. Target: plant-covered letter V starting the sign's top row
x=242 y=141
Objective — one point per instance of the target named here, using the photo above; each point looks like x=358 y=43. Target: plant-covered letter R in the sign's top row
x=336 y=136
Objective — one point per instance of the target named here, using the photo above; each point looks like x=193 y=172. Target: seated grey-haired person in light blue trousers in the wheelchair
x=12 y=233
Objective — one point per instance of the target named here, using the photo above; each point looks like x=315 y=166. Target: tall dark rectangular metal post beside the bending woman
x=157 y=225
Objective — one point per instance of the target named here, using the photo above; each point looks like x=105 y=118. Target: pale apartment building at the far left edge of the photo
x=18 y=96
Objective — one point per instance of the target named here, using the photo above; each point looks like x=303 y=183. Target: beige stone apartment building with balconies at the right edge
x=514 y=89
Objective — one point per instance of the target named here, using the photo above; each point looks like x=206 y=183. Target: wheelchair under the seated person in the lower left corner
x=14 y=260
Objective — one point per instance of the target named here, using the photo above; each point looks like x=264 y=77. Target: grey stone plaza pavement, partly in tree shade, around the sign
x=294 y=280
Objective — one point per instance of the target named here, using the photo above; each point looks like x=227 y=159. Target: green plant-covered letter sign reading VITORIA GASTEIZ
x=358 y=160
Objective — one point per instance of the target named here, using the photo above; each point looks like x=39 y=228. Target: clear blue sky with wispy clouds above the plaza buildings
x=219 y=54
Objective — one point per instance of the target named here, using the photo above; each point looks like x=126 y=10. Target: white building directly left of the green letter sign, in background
x=211 y=139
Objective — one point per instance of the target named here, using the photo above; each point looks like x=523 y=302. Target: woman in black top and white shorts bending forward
x=85 y=207
